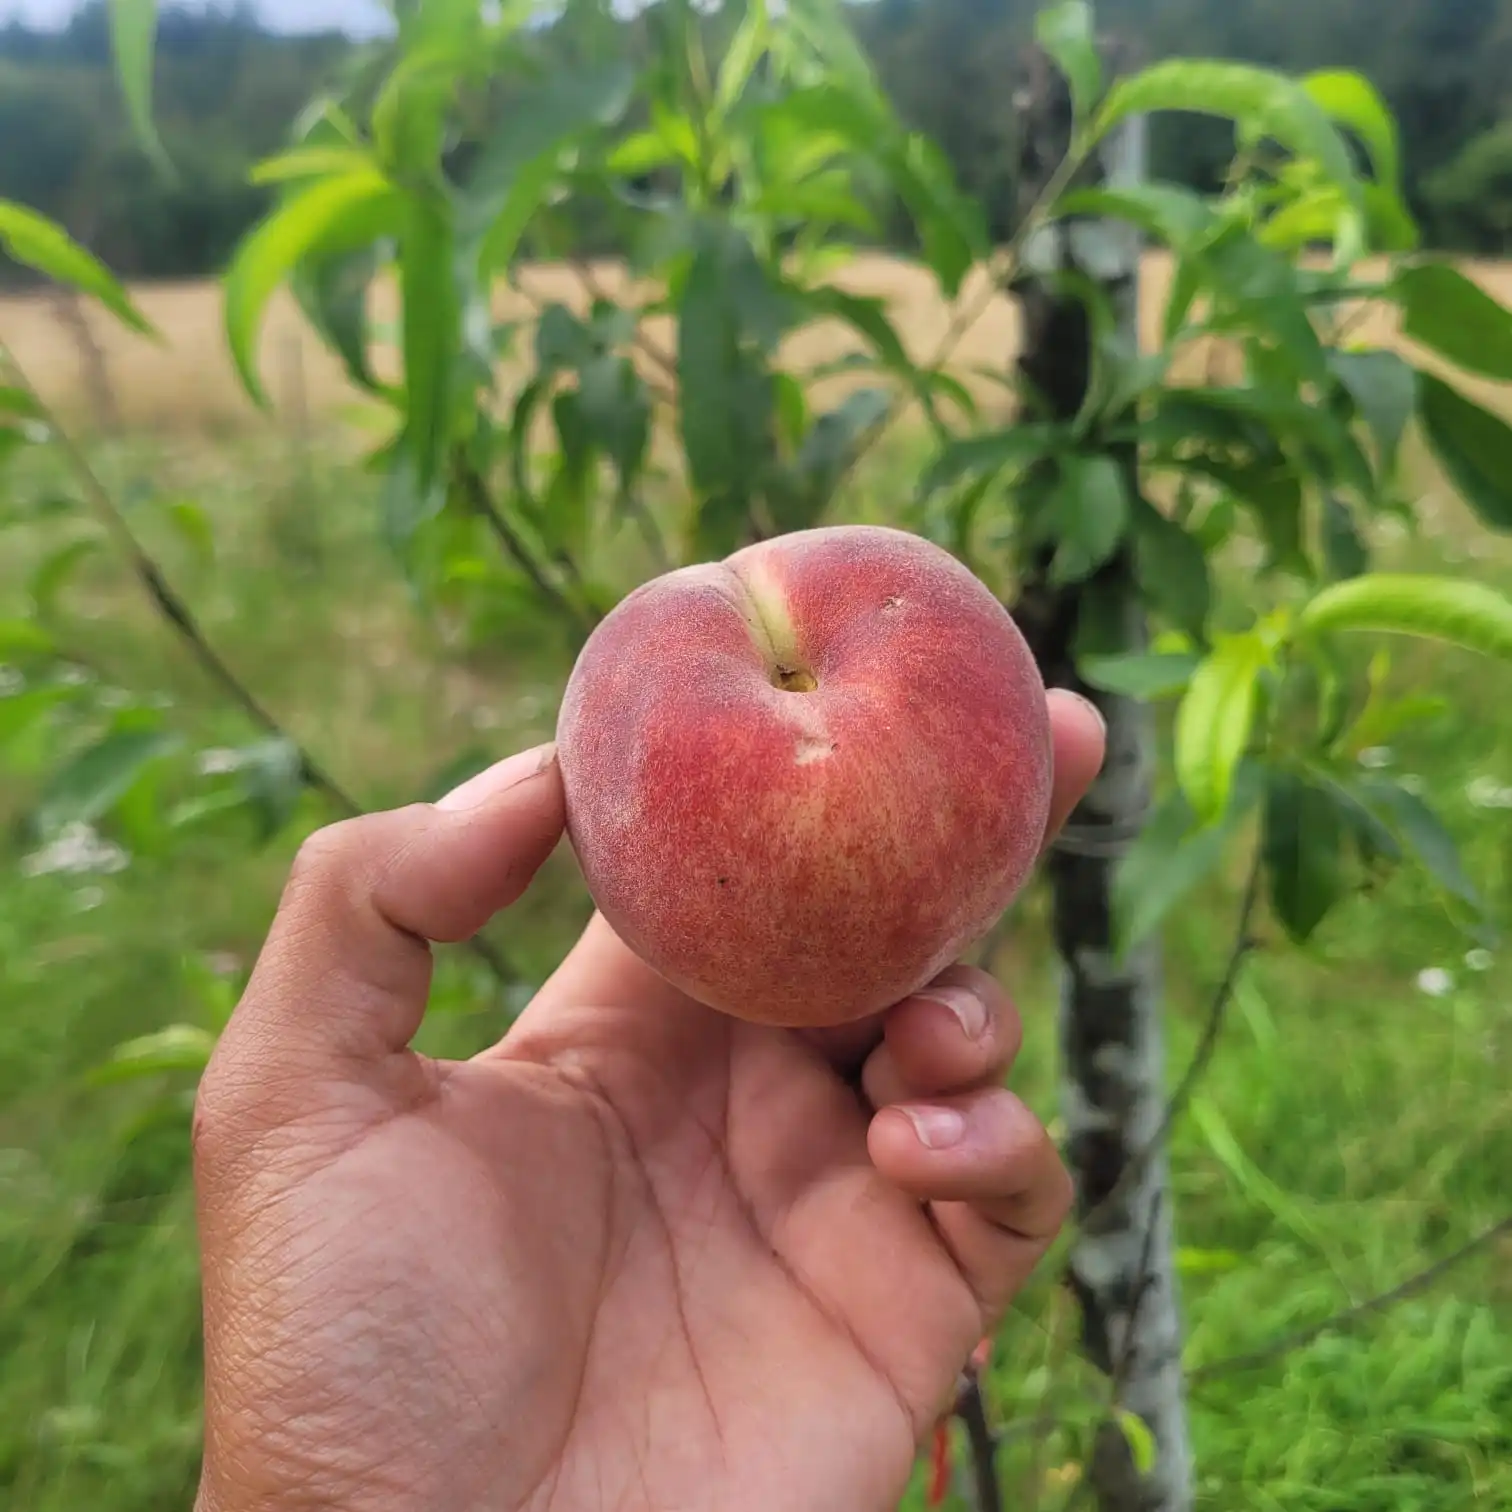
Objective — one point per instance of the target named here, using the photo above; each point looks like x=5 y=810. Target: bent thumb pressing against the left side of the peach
x=345 y=973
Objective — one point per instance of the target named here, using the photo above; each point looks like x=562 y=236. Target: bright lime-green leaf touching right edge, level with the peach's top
x=1457 y=610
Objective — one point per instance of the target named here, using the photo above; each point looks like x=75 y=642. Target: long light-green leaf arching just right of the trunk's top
x=1262 y=102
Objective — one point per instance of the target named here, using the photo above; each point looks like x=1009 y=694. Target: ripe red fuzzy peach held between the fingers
x=802 y=781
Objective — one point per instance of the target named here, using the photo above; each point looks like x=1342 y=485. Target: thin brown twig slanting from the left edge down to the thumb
x=173 y=609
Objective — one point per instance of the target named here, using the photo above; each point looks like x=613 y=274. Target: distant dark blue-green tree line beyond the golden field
x=228 y=91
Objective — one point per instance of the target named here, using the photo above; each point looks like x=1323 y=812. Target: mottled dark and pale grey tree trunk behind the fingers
x=1123 y=1265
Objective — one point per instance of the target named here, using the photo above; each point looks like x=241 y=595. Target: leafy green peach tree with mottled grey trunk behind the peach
x=533 y=471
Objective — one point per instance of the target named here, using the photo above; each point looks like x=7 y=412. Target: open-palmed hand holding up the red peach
x=637 y=1256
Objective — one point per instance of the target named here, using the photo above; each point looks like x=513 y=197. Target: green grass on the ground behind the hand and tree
x=1349 y=1130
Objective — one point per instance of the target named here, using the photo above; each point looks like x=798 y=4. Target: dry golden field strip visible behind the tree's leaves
x=187 y=385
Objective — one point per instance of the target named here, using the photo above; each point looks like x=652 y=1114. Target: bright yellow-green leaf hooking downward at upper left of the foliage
x=330 y=218
